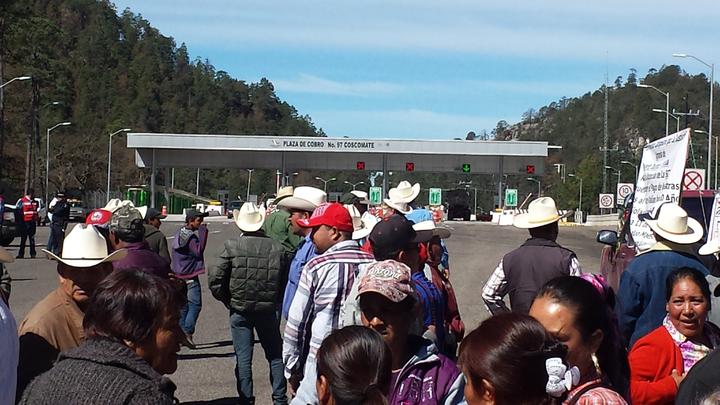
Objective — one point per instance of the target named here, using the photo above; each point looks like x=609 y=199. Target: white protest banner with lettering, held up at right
x=659 y=181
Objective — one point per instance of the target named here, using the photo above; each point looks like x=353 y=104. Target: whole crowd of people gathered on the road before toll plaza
x=355 y=308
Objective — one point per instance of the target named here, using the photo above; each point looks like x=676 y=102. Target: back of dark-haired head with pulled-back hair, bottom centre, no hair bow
x=354 y=366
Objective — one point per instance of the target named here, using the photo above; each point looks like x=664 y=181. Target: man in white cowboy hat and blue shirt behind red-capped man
x=301 y=205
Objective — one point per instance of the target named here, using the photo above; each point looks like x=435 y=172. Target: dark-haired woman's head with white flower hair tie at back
x=510 y=359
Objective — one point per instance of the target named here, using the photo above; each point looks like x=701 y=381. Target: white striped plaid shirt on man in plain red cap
x=315 y=310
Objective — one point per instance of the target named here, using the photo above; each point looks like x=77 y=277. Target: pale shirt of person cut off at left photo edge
x=9 y=352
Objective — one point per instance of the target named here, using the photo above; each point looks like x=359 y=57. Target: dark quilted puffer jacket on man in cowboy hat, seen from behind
x=247 y=275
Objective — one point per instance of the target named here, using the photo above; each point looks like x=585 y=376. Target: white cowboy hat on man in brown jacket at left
x=86 y=247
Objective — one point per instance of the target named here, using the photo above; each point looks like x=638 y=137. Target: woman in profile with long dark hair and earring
x=578 y=313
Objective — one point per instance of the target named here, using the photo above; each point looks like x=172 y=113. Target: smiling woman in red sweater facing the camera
x=660 y=360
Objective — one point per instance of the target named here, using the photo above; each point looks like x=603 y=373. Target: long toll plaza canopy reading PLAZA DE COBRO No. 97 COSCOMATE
x=289 y=153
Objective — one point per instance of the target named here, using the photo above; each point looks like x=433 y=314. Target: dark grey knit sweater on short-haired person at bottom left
x=100 y=371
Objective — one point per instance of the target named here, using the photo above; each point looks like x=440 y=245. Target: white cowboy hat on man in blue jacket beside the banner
x=671 y=222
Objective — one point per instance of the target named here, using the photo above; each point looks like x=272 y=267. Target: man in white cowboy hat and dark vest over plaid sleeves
x=523 y=271
